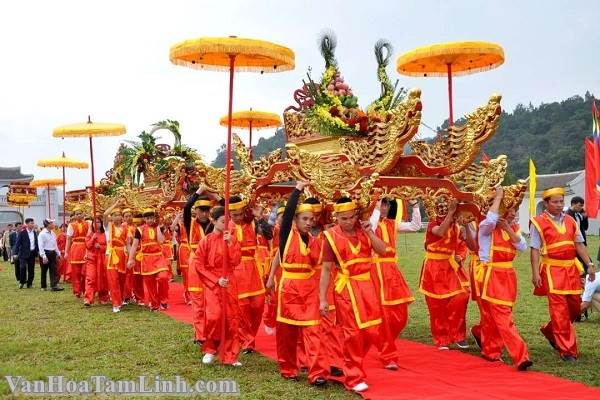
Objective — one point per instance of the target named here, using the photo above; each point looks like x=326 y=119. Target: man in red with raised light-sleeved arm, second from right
x=499 y=240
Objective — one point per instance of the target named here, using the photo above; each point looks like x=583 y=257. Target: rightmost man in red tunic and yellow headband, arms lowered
x=555 y=244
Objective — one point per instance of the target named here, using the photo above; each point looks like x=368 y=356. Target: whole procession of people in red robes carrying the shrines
x=330 y=290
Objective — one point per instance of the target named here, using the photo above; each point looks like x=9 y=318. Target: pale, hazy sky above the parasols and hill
x=65 y=60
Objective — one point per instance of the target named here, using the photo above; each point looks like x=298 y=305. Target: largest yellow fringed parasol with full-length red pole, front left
x=231 y=54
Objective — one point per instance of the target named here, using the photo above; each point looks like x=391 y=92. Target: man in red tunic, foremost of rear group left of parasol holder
x=149 y=238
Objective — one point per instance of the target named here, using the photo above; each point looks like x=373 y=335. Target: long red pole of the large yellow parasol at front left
x=227 y=194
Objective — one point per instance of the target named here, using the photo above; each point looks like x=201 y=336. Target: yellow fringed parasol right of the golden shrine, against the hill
x=450 y=59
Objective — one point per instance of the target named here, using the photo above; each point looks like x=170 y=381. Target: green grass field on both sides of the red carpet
x=45 y=333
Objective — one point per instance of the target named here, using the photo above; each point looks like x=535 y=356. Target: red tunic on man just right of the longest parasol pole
x=247 y=276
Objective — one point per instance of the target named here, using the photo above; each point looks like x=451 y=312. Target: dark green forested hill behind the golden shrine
x=551 y=134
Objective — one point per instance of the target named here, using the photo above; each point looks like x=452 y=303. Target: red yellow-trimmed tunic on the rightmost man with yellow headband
x=560 y=268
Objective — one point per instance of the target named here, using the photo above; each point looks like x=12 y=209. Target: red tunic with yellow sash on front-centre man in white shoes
x=353 y=280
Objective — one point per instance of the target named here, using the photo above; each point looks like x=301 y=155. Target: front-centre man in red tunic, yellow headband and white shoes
x=348 y=249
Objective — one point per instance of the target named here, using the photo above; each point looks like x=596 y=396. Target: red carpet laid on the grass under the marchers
x=428 y=373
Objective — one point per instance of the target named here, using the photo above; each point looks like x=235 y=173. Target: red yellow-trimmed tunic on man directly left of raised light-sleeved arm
x=439 y=275
